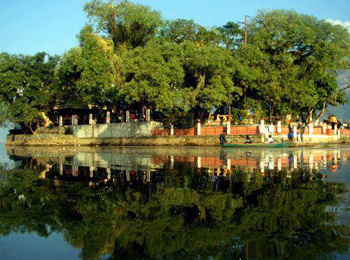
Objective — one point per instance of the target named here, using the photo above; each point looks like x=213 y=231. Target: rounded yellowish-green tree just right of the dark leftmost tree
x=87 y=74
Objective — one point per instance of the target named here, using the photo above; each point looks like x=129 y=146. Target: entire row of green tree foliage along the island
x=130 y=58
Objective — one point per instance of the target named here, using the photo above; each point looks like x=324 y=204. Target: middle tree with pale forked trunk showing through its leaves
x=209 y=74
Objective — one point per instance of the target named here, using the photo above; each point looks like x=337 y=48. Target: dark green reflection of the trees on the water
x=183 y=213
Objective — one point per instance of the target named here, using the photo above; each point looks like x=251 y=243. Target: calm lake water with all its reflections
x=174 y=203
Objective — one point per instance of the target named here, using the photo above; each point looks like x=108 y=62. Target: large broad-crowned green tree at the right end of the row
x=296 y=64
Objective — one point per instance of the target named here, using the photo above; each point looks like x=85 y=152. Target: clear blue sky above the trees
x=30 y=26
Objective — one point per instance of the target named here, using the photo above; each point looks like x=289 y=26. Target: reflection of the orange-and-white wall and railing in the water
x=111 y=167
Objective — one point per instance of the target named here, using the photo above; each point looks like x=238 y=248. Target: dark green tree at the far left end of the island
x=27 y=87
